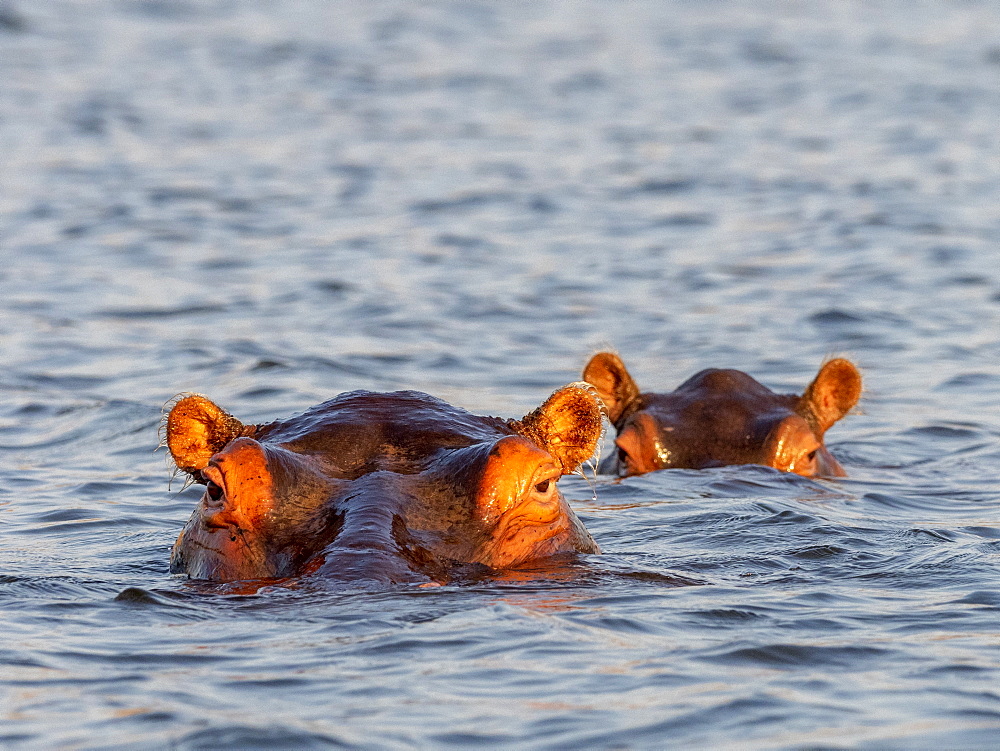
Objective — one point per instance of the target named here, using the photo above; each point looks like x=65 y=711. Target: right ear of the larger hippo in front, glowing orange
x=567 y=425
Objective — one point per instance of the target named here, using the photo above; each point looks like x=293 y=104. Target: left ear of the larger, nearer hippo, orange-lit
x=197 y=429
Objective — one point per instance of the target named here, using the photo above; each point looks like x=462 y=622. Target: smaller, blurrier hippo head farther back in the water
x=721 y=417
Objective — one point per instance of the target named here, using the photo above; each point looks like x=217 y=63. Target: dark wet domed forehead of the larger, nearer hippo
x=362 y=431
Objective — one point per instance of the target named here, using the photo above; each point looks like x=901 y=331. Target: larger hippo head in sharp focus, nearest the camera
x=393 y=487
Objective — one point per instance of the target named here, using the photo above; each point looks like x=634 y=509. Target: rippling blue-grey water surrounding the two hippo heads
x=274 y=202
